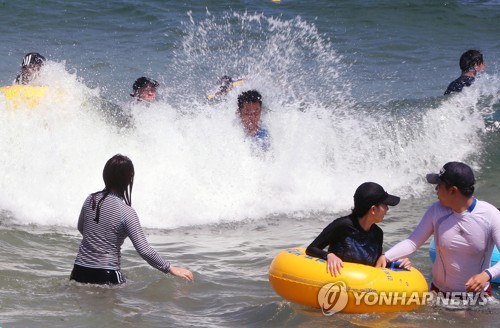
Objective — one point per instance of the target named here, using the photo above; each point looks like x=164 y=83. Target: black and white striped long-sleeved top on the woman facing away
x=101 y=243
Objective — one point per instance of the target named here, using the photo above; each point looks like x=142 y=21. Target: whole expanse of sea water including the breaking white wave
x=352 y=92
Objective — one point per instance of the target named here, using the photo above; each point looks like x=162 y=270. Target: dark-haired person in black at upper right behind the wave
x=471 y=63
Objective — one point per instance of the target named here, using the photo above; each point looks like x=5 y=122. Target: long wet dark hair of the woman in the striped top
x=118 y=174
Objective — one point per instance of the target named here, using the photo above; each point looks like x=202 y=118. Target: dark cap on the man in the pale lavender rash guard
x=454 y=174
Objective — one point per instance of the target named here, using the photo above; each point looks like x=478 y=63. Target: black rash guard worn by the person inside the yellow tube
x=347 y=240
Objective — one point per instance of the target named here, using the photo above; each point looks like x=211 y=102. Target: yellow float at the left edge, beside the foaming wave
x=23 y=96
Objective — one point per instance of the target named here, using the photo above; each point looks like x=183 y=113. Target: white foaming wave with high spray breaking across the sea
x=193 y=164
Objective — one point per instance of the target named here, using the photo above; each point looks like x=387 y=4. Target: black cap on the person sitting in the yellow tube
x=371 y=193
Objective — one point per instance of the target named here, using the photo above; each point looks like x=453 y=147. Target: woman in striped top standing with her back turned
x=106 y=219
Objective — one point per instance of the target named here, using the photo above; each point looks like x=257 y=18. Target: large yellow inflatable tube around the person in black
x=299 y=278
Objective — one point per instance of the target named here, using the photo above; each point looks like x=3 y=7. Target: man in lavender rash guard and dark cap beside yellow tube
x=465 y=231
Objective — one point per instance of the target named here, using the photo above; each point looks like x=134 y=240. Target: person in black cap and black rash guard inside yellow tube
x=356 y=237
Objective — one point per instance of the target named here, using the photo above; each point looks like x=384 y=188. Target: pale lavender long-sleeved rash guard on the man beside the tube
x=464 y=243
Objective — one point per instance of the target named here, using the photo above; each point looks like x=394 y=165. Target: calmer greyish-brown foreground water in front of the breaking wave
x=230 y=262
